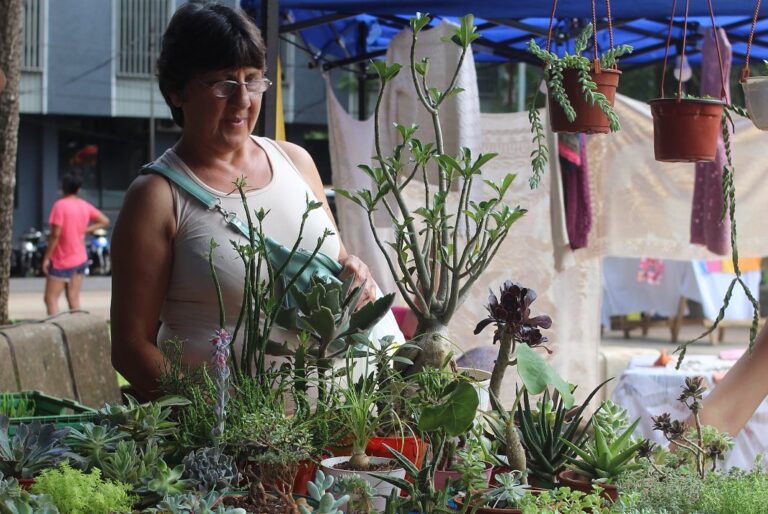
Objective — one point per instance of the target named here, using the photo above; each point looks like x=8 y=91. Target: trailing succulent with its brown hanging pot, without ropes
x=581 y=92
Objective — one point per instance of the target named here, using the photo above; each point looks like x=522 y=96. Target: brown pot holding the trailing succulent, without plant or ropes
x=589 y=118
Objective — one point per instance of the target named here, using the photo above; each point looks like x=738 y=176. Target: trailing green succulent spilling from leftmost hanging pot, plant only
x=554 y=69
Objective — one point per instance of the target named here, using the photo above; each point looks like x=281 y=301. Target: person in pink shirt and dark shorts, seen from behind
x=65 y=259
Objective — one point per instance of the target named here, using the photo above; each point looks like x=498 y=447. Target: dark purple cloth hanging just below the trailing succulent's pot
x=575 y=176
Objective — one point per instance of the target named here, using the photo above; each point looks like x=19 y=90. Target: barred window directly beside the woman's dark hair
x=140 y=27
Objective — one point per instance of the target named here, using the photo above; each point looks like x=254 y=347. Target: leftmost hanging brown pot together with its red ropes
x=589 y=109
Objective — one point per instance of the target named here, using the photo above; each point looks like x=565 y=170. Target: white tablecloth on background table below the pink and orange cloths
x=624 y=294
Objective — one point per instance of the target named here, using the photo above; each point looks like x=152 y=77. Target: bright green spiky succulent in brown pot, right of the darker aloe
x=602 y=461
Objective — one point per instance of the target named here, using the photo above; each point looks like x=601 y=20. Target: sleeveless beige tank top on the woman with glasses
x=190 y=311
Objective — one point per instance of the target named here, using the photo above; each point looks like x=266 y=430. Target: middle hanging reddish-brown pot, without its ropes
x=685 y=130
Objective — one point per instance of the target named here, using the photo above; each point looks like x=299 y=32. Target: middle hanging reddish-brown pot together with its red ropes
x=686 y=129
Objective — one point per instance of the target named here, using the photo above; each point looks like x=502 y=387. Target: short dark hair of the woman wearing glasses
x=206 y=37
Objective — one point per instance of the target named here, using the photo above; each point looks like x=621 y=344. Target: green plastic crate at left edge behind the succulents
x=50 y=409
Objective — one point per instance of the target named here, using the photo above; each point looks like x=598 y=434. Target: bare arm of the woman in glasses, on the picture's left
x=141 y=269
